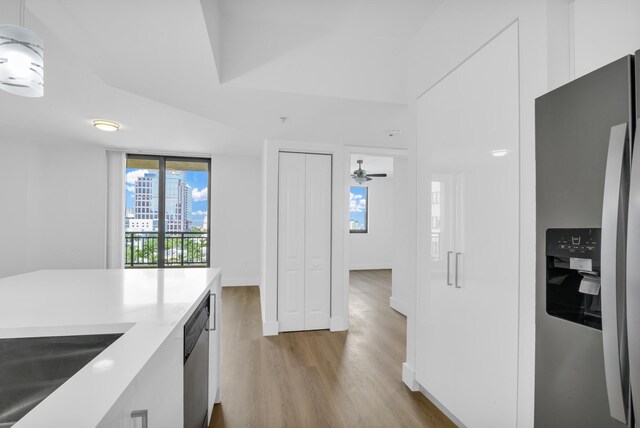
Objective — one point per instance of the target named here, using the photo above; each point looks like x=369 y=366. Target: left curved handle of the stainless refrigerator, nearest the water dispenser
x=613 y=259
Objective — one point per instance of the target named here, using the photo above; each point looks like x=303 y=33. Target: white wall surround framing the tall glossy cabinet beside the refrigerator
x=456 y=30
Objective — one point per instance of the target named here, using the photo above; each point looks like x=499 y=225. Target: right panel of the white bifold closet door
x=318 y=242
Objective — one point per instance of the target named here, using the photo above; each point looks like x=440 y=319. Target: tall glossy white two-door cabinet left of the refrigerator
x=467 y=301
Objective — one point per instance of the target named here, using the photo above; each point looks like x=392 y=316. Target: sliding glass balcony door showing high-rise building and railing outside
x=167 y=212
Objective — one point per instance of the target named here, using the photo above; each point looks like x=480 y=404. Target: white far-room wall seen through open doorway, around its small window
x=374 y=249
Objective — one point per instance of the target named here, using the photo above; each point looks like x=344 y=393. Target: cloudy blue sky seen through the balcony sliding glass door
x=197 y=181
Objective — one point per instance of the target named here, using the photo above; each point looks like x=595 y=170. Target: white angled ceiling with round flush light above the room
x=214 y=76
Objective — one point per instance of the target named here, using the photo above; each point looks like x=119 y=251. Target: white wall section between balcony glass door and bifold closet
x=236 y=187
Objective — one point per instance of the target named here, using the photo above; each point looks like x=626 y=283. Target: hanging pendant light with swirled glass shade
x=21 y=59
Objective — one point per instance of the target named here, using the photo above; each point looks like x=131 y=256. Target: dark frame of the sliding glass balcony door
x=162 y=160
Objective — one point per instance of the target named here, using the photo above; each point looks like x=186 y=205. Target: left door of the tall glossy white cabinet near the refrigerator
x=439 y=147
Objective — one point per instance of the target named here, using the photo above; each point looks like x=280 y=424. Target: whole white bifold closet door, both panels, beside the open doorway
x=304 y=241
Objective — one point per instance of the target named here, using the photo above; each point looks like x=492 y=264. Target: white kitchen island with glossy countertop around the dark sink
x=137 y=379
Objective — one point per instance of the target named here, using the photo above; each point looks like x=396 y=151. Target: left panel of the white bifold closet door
x=291 y=241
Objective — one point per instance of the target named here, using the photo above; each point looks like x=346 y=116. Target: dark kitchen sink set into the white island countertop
x=32 y=368
